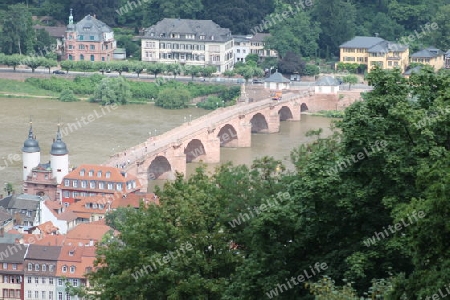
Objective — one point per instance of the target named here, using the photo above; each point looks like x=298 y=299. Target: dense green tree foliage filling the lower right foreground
x=327 y=210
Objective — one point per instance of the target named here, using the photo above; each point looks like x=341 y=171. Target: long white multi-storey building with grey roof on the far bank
x=189 y=42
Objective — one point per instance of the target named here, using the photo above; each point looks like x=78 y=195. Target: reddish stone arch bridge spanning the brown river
x=201 y=139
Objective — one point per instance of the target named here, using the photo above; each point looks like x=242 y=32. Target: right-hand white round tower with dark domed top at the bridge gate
x=59 y=158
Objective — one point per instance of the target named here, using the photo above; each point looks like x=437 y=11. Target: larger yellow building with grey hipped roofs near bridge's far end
x=373 y=51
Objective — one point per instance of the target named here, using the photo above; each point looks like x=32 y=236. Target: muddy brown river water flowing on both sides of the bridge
x=97 y=132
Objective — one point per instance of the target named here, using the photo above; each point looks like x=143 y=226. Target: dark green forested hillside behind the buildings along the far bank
x=314 y=30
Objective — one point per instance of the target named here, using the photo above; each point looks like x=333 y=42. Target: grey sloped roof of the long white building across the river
x=164 y=28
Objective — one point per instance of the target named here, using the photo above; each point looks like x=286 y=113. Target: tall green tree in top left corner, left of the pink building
x=17 y=32
